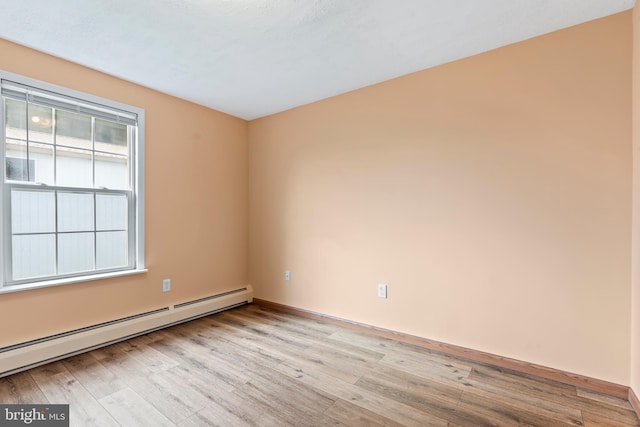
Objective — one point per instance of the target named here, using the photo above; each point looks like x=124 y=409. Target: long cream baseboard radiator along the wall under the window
x=23 y=356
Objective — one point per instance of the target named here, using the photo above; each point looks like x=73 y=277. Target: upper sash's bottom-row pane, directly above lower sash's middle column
x=74 y=167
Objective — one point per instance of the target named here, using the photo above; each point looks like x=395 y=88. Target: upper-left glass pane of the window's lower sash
x=32 y=211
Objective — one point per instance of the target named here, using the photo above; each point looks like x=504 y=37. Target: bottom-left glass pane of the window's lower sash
x=33 y=256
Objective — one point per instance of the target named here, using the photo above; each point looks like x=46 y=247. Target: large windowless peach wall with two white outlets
x=492 y=194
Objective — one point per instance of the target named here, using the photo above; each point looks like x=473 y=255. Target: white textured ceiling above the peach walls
x=252 y=58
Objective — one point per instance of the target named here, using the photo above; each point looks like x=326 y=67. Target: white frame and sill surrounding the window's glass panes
x=136 y=159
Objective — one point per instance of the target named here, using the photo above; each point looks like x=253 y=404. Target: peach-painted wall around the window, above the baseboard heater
x=196 y=208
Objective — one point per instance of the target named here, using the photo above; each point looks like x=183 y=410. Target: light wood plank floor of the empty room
x=257 y=366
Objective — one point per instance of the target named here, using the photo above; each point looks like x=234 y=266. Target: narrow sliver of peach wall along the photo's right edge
x=635 y=253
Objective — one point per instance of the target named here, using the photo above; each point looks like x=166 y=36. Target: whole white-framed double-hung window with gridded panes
x=72 y=199
